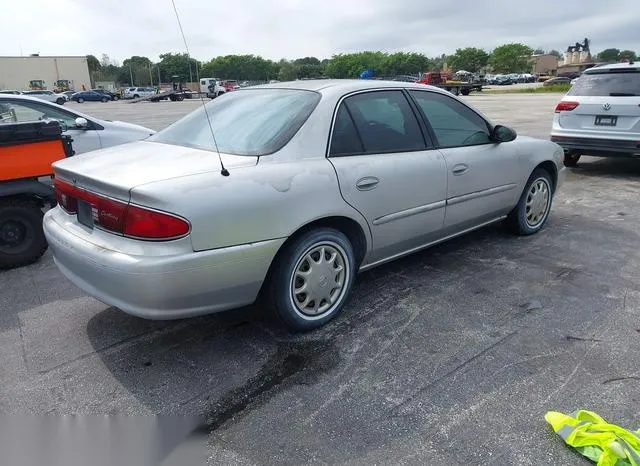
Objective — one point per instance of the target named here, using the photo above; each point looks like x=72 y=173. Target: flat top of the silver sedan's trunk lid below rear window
x=116 y=170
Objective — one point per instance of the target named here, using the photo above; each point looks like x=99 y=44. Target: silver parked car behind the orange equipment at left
x=88 y=133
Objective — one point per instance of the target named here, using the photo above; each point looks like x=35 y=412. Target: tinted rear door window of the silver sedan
x=376 y=122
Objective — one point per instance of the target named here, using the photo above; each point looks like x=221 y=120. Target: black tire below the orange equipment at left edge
x=22 y=239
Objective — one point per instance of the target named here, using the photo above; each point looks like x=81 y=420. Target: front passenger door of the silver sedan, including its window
x=482 y=175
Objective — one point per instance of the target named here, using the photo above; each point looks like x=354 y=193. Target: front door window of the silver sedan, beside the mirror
x=454 y=124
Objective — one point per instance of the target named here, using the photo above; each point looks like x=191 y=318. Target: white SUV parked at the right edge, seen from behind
x=600 y=115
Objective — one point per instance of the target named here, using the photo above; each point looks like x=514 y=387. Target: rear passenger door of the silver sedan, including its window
x=388 y=170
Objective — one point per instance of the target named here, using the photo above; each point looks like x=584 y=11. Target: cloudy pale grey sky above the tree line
x=297 y=28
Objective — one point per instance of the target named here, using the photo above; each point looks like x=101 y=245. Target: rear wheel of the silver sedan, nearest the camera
x=312 y=278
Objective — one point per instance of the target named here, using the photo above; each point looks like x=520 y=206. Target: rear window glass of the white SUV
x=607 y=84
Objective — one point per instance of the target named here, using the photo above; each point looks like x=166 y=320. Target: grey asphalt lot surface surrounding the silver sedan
x=449 y=356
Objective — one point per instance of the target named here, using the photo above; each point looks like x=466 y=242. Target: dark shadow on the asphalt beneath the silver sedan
x=219 y=364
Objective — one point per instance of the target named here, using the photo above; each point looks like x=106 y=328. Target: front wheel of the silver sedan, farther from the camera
x=534 y=206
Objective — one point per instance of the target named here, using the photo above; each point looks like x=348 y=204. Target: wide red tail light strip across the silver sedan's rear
x=119 y=217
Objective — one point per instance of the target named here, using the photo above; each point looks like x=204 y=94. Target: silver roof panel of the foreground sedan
x=343 y=86
